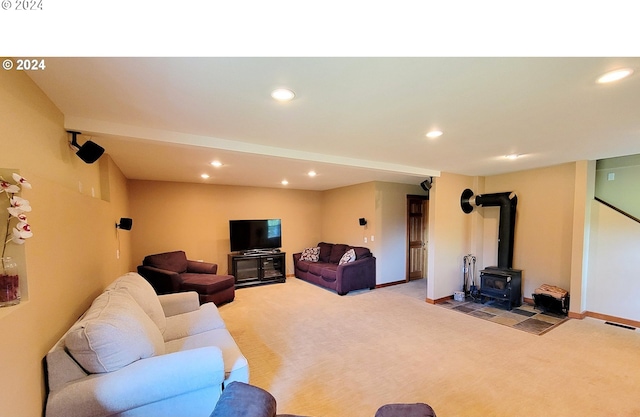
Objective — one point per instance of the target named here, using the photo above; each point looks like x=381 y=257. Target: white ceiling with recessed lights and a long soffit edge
x=353 y=119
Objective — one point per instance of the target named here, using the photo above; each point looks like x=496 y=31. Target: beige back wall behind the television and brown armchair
x=195 y=218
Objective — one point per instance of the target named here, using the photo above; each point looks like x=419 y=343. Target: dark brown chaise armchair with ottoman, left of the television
x=172 y=272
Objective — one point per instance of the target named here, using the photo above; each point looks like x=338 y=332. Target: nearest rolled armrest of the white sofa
x=143 y=382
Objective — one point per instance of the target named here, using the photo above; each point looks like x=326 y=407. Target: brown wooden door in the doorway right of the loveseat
x=417 y=207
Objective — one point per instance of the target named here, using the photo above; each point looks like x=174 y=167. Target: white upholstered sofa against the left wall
x=134 y=353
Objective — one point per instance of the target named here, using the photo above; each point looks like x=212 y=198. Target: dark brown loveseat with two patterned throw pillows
x=356 y=274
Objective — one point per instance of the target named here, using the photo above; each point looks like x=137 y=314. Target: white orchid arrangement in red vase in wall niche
x=18 y=206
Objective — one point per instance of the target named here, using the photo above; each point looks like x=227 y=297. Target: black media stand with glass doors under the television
x=251 y=269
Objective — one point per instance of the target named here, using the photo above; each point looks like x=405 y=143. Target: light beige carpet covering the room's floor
x=324 y=355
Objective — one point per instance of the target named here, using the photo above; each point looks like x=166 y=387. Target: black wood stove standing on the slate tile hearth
x=502 y=284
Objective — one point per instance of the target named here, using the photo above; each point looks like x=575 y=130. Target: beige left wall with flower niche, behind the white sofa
x=71 y=256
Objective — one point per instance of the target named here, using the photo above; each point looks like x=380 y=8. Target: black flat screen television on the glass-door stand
x=248 y=235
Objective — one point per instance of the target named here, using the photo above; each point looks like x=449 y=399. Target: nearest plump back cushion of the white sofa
x=113 y=333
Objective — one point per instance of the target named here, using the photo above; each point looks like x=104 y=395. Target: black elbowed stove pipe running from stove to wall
x=506 y=229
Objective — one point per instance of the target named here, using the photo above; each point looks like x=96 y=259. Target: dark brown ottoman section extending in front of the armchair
x=218 y=289
